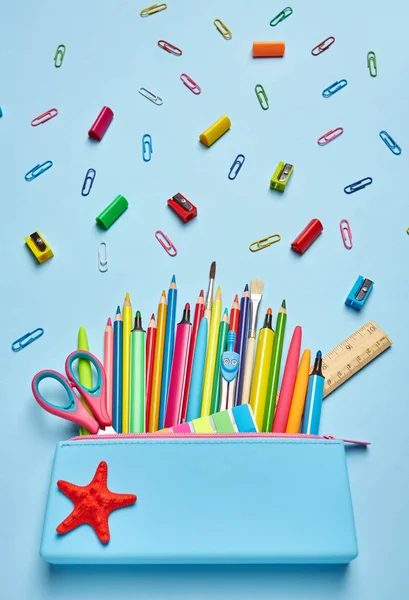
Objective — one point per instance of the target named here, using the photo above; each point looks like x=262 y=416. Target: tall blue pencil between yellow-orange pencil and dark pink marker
x=168 y=350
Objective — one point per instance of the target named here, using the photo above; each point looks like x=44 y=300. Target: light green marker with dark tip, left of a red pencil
x=137 y=378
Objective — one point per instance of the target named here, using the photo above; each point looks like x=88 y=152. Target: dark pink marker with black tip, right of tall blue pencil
x=178 y=373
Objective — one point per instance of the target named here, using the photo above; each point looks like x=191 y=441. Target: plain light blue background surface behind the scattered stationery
x=111 y=52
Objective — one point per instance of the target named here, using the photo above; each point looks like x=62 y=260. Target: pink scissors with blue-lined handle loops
x=74 y=410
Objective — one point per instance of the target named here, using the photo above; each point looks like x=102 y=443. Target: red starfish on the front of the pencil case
x=93 y=503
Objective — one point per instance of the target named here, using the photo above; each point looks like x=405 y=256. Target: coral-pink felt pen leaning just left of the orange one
x=288 y=383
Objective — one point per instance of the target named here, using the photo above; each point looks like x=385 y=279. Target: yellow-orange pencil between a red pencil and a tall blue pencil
x=157 y=365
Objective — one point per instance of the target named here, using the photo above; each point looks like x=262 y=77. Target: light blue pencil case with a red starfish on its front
x=200 y=499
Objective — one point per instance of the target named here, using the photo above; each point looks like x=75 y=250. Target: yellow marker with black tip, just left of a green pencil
x=261 y=373
